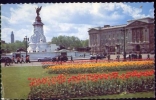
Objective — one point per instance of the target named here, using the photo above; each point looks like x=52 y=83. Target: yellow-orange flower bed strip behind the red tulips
x=92 y=67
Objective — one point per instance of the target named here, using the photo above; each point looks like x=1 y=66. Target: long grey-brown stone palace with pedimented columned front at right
x=138 y=36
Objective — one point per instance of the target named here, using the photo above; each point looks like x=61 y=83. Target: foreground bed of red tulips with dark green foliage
x=95 y=84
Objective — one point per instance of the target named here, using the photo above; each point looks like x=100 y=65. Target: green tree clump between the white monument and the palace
x=69 y=41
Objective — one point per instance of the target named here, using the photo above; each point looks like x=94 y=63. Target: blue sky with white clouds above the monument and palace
x=70 y=19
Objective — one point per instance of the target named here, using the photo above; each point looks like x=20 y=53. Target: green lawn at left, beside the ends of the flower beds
x=15 y=80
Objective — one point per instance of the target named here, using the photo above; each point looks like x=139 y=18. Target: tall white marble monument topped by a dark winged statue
x=38 y=40
